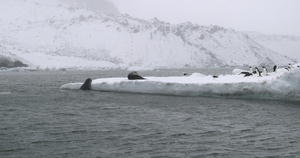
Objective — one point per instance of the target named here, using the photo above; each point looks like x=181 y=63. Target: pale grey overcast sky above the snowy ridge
x=266 y=16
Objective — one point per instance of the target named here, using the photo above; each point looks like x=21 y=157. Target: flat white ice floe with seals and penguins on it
x=281 y=84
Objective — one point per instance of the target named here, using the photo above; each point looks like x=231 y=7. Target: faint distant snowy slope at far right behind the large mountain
x=284 y=44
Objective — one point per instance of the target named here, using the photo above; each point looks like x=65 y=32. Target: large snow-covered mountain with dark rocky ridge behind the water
x=67 y=35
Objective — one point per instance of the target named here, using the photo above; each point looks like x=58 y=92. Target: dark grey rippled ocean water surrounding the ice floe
x=38 y=119
